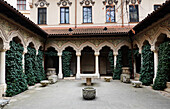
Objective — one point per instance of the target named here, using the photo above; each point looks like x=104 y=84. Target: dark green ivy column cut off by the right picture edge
x=163 y=66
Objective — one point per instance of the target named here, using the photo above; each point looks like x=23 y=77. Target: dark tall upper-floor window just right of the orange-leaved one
x=133 y=13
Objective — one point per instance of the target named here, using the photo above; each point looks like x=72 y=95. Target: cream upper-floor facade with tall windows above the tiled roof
x=71 y=13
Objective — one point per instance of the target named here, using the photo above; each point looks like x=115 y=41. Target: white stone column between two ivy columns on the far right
x=155 y=64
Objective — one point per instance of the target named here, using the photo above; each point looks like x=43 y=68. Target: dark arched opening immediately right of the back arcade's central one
x=105 y=68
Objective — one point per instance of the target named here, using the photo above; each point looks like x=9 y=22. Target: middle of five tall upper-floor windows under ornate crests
x=87 y=14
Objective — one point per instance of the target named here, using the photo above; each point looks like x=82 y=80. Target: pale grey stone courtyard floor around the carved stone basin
x=67 y=94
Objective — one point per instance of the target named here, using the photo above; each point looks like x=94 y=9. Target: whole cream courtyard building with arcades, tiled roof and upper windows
x=88 y=29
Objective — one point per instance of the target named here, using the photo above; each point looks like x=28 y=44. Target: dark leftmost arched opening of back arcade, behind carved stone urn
x=51 y=59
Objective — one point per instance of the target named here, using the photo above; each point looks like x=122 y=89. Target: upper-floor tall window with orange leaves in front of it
x=110 y=14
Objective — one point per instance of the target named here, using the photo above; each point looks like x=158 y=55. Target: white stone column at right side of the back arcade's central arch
x=97 y=63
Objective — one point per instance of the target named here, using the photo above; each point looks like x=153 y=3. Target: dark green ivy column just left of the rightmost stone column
x=147 y=70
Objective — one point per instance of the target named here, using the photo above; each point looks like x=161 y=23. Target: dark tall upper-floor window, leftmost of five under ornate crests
x=42 y=15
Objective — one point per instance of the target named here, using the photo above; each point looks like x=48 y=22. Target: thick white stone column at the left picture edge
x=3 y=85
